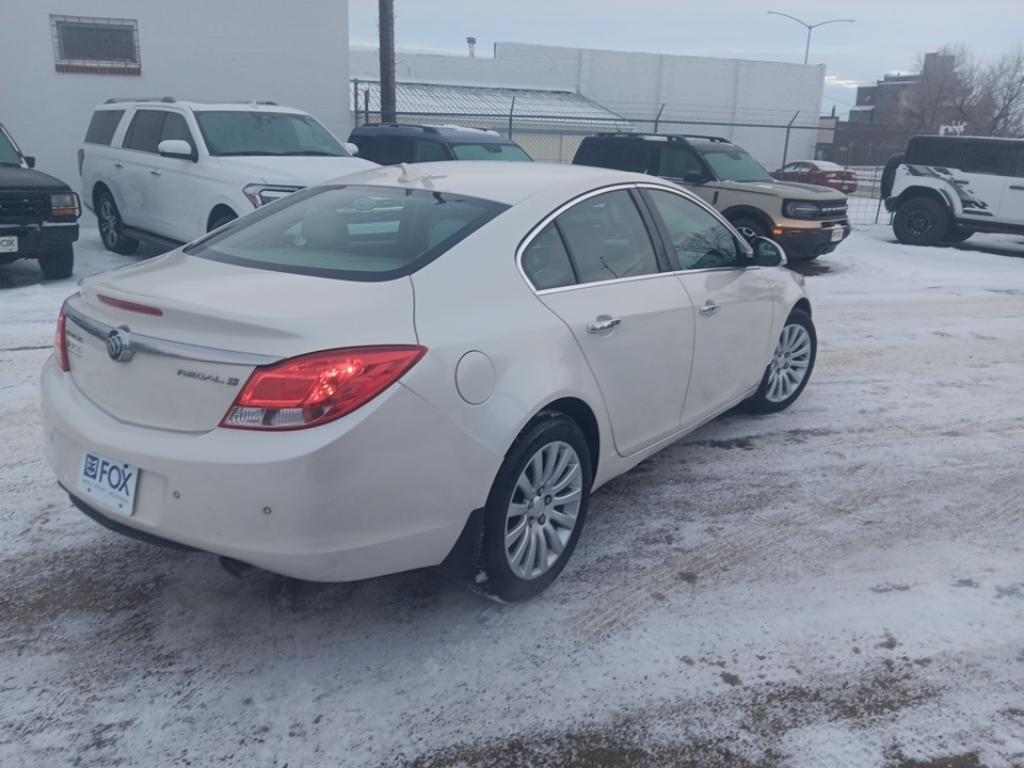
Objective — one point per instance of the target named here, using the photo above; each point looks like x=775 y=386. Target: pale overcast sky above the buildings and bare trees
x=887 y=36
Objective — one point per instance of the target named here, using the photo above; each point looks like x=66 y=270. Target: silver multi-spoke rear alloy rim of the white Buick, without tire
x=544 y=510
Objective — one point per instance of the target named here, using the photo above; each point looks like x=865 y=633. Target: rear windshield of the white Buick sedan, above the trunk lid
x=350 y=233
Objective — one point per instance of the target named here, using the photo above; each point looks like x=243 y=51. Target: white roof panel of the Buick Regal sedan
x=502 y=183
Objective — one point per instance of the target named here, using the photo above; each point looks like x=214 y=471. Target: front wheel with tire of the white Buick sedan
x=796 y=352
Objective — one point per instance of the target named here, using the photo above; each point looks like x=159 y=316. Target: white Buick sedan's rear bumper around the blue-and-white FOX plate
x=387 y=489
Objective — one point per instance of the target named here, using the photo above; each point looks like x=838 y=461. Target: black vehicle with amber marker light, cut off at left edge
x=38 y=214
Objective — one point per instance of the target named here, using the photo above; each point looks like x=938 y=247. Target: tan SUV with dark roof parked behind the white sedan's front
x=805 y=220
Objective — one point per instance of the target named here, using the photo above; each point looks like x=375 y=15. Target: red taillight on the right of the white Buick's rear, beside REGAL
x=317 y=389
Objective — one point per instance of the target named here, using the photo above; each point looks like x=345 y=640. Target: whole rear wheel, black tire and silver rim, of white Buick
x=536 y=509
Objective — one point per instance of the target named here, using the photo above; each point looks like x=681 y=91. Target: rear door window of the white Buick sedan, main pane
x=608 y=239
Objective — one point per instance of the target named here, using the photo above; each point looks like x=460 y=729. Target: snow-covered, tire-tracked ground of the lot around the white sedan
x=839 y=585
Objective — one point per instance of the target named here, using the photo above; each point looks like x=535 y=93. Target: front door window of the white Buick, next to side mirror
x=700 y=240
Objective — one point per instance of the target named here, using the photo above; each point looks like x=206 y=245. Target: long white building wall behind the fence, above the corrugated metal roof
x=635 y=86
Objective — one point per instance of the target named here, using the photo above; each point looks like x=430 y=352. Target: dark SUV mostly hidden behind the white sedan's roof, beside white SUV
x=391 y=144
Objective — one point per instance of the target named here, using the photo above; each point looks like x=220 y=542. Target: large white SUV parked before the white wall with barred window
x=169 y=172
